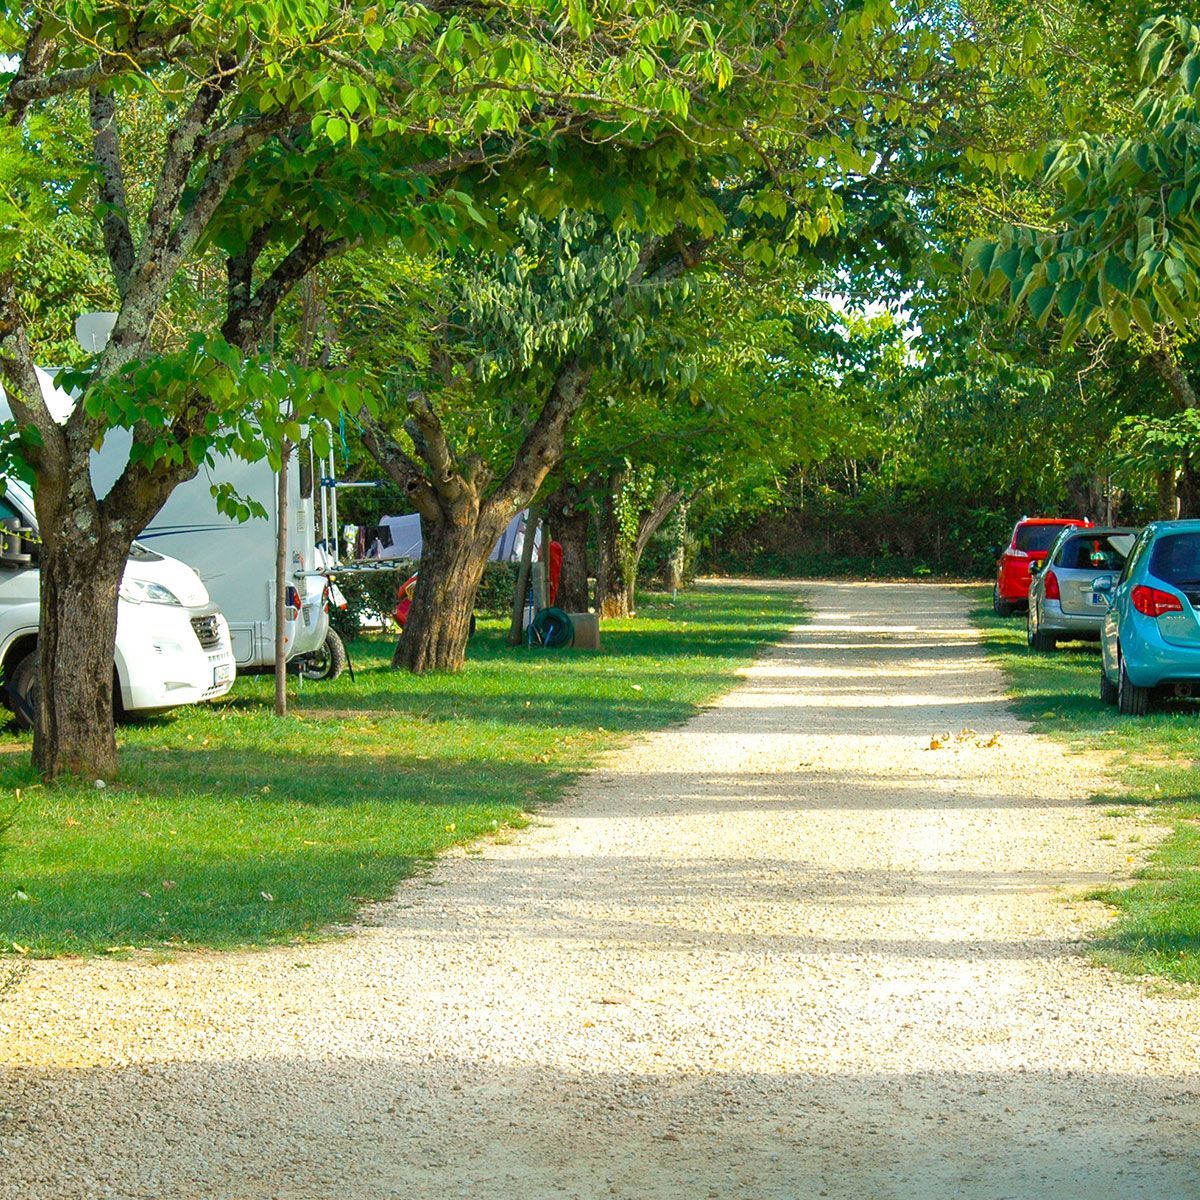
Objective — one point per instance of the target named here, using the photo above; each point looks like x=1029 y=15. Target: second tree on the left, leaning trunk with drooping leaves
x=535 y=325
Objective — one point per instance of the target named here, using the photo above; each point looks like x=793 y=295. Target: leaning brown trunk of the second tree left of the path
x=453 y=560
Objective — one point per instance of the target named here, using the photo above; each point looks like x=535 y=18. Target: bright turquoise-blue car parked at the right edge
x=1150 y=644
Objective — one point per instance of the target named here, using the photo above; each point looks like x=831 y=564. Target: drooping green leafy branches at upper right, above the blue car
x=1118 y=259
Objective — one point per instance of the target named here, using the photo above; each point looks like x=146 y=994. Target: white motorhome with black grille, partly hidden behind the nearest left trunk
x=173 y=645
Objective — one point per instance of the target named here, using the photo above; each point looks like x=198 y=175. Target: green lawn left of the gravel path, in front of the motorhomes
x=231 y=827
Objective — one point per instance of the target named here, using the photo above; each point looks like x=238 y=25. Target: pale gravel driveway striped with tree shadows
x=783 y=952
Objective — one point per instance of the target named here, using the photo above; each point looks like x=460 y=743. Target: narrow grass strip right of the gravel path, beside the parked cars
x=1154 y=759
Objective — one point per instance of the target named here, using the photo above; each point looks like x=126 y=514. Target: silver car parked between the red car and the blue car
x=1064 y=605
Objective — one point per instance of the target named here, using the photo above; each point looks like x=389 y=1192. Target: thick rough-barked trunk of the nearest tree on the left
x=74 y=730
